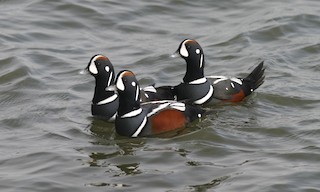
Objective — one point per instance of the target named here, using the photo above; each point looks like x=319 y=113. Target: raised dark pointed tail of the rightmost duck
x=254 y=79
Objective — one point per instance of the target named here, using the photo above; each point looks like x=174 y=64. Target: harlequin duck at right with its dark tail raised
x=202 y=89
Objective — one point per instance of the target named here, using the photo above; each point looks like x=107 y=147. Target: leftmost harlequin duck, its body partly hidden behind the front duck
x=105 y=99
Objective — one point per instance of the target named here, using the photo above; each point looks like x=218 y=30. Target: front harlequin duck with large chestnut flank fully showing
x=144 y=119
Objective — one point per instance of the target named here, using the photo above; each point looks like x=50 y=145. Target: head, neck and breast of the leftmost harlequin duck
x=105 y=101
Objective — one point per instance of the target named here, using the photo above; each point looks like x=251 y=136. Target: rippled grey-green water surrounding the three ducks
x=50 y=142
